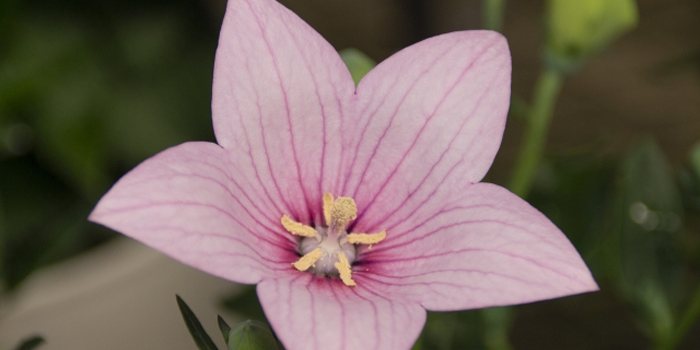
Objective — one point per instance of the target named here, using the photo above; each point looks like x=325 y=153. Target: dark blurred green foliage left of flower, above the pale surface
x=87 y=91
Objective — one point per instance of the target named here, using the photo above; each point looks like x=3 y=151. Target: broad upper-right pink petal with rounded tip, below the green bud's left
x=431 y=115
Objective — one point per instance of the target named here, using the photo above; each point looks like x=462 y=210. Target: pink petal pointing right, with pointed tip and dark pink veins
x=483 y=247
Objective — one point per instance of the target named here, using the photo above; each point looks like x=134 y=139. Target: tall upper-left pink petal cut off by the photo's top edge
x=279 y=96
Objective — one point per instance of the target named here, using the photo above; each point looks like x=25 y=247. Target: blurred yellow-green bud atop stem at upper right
x=578 y=28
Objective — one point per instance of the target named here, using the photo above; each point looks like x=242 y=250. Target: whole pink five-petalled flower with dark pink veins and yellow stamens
x=404 y=151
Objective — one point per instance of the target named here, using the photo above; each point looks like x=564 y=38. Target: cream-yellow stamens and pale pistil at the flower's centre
x=329 y=250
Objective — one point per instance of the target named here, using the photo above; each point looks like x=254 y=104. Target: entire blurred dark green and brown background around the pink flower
x=88 y=89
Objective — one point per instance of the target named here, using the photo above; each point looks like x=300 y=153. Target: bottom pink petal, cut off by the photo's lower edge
x=311 y=312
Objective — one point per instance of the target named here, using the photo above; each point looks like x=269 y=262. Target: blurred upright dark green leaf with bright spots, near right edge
x=645 y=228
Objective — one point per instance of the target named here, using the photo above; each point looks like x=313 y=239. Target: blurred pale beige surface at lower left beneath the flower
x=120 y=296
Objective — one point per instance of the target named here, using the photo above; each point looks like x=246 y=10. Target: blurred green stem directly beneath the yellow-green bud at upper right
x=546 y=92
